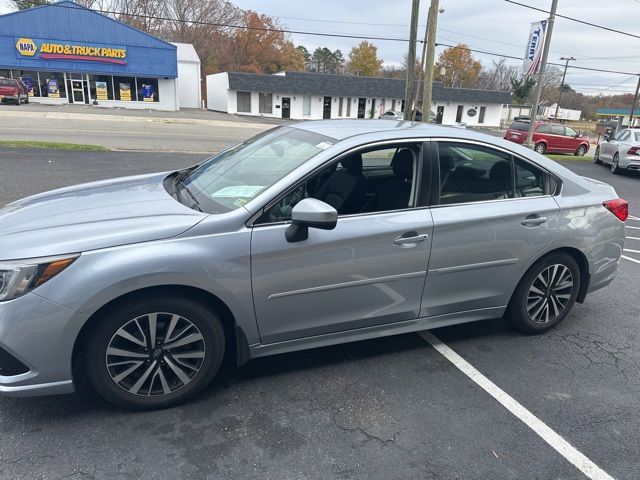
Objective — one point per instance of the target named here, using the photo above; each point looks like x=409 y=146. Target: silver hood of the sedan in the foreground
x=92 y=215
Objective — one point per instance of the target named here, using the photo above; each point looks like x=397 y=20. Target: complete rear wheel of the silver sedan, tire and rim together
x=545 y=294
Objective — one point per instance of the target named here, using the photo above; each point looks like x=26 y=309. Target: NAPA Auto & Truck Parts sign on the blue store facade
x=63 y=50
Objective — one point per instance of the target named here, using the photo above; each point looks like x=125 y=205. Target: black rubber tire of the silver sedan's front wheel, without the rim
x=205 y=322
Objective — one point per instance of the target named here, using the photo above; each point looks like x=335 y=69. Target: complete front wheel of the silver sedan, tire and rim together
x=154 y=353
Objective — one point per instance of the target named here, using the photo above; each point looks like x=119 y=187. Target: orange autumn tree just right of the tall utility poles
x=460 y=68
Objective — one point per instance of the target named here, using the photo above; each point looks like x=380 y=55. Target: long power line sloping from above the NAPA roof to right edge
x=323 y=34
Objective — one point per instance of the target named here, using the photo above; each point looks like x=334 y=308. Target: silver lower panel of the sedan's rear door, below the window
x=480 y=251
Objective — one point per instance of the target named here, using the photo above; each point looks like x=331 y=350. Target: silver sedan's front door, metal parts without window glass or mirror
x=369 y=270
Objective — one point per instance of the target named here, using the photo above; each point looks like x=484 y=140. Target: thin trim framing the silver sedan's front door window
x=250 y=223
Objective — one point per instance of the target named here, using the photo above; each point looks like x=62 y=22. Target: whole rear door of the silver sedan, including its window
x=492 y=216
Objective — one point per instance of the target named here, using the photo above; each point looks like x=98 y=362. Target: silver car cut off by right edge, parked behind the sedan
x=622 y=151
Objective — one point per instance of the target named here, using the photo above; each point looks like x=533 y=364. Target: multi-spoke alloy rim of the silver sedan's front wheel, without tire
x=155 y=354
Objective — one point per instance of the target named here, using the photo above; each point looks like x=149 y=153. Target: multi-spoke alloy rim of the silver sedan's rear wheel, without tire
x=549 y=293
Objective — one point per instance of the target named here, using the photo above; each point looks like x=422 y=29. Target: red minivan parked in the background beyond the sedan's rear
x=549 y=137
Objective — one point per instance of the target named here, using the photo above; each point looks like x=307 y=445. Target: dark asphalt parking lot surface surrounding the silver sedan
x=392 y=408
